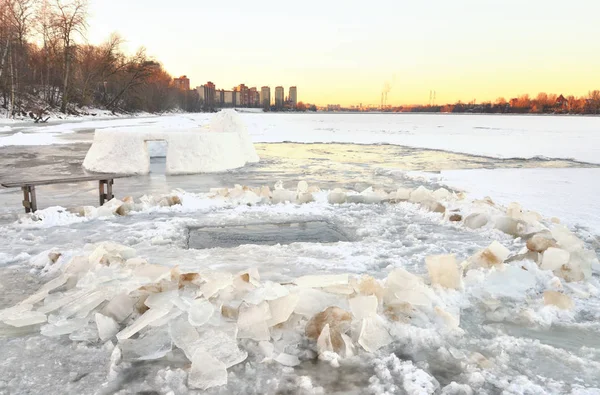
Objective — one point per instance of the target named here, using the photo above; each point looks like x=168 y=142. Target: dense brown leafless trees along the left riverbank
x=46 y=63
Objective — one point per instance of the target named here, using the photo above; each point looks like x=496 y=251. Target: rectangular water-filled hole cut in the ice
x=265 y=234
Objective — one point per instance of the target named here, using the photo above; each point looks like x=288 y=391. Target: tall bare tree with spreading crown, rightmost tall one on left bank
x=69 y=19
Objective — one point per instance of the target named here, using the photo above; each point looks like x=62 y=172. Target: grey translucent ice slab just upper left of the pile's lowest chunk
x=153 y=344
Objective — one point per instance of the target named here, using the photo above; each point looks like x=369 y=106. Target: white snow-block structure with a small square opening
x=223 y=145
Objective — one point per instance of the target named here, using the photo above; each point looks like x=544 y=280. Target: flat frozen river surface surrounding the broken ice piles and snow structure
x=508 y=341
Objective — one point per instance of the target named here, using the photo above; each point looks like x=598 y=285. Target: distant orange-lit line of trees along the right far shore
x=543 y=103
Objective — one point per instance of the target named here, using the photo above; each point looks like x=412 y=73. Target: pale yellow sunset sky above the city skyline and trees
x=343 y=52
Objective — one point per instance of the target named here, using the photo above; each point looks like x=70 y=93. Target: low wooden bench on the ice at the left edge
x=105 y=183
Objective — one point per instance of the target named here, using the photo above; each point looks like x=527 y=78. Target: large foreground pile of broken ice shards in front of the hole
x=150 y=311
